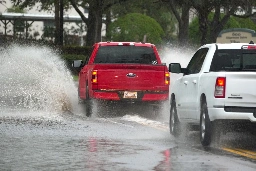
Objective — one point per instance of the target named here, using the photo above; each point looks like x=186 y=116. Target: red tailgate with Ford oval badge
x=131 y=77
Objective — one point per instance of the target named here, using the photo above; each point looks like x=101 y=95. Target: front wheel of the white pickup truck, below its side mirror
x=174 y=123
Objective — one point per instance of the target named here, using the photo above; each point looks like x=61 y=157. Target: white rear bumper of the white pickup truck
x=232 y=113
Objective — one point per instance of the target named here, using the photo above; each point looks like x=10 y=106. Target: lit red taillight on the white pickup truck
x=220 y=87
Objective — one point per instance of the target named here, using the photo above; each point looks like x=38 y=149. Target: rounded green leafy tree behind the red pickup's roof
x=134 y=27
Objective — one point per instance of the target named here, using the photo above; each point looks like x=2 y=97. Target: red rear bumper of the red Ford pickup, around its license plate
x=141 y=96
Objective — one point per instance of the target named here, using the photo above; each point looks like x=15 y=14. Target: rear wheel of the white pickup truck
x=205 y=126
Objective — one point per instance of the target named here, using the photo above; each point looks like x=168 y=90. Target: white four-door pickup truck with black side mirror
x=217 y=91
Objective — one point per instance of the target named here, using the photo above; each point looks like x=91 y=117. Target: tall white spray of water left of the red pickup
x=35 y=78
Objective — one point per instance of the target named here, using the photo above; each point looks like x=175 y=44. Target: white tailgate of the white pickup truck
x=241 y=89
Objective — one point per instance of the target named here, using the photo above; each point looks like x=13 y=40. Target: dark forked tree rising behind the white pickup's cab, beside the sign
x=238 y=8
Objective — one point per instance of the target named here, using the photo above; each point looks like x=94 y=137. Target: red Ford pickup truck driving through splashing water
x=124 y=72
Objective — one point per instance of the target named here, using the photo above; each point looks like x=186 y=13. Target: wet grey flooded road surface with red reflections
x=43 y=141
